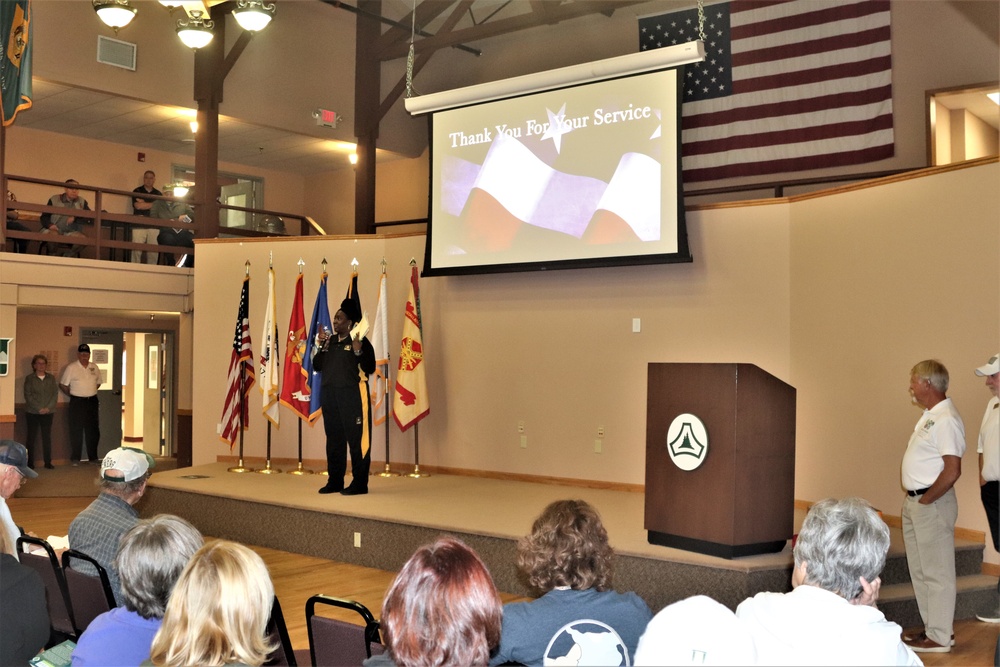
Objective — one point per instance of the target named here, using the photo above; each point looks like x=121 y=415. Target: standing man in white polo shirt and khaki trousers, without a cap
x=931 y=466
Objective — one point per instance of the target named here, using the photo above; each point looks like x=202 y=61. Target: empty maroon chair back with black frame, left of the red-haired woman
x=336 y=642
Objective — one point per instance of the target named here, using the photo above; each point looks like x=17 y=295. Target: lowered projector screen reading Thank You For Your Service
x=581 y=176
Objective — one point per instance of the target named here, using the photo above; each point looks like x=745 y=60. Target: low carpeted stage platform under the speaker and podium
x=283 y=511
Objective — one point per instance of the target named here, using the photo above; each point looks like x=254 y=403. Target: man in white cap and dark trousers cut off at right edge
x=989 y=463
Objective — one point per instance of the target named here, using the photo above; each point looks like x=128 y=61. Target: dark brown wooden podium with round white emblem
x=739 y=500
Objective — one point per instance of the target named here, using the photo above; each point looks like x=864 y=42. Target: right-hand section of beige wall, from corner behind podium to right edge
x=881 y=279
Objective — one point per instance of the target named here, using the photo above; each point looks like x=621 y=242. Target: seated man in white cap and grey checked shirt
x=97 y=530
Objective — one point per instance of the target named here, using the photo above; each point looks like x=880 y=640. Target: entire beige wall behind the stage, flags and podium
x=839 y=295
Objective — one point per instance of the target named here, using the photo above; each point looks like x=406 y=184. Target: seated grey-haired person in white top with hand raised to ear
x=830 y=617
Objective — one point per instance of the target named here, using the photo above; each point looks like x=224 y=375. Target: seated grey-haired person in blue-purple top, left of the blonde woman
x=152 y=555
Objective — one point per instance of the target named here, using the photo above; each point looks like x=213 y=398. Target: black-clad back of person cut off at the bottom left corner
x=24 y=615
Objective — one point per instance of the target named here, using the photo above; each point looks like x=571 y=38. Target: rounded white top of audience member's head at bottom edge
x=695 y=631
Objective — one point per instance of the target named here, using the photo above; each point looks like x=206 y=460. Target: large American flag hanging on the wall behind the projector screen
x=786 y=85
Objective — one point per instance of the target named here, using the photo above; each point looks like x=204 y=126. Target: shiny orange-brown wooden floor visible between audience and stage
x=298 y=577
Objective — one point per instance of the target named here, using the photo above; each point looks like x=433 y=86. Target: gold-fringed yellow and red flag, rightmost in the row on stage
x=410 y=403
